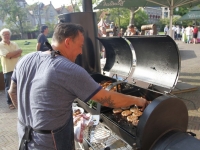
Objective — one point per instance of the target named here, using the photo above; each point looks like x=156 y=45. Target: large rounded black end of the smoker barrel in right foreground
x=163 y=115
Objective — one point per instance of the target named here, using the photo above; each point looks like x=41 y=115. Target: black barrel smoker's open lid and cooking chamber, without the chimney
x=163 y=124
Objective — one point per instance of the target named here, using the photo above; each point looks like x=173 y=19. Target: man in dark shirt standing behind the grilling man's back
x=42 y=39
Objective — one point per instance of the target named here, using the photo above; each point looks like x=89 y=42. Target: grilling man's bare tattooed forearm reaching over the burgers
x=117 y=100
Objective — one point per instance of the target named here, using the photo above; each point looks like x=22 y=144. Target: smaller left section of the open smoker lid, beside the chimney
x=119 y=58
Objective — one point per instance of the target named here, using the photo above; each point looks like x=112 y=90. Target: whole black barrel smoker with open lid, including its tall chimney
x=163 y=125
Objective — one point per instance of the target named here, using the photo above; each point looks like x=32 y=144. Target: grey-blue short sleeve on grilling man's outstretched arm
x=79 y=82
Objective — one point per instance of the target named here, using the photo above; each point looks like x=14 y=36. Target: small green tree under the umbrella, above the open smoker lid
x=141 y=18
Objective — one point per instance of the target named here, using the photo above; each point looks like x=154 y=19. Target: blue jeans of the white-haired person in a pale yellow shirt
x=7 y=81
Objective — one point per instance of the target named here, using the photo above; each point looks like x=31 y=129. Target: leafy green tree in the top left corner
x=12 y=13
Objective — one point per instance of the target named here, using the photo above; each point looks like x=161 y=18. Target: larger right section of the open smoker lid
x=158 y=60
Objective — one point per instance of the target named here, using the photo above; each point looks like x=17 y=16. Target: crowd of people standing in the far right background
x=187 y=34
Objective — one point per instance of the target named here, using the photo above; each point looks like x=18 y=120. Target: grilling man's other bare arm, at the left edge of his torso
x=13 y=93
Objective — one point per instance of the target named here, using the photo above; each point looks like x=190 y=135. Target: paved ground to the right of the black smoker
x=190 y=73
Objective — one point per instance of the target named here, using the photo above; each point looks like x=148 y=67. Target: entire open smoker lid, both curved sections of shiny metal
x=157 y=58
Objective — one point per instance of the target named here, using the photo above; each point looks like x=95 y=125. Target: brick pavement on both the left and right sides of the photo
x=189 y=73
